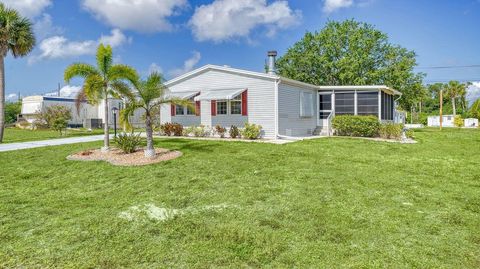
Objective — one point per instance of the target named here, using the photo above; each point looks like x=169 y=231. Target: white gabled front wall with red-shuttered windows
x=261 y=101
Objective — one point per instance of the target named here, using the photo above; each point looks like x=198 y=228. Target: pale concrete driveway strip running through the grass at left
x=50 y=142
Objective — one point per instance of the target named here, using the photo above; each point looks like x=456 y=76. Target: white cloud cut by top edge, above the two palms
x=137 y=15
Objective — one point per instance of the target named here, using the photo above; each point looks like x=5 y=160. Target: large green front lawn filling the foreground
x=324 y=203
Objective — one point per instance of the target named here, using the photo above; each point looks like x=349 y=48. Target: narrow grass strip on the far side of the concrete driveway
x=13 y=135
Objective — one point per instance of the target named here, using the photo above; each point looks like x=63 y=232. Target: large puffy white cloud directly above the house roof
x=227 y=19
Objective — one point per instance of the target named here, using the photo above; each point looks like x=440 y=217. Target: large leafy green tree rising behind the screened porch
x=353 y=53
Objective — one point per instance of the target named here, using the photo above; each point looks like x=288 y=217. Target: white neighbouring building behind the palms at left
x=32 y=105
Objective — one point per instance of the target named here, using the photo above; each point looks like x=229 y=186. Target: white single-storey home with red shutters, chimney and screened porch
x=226 y=96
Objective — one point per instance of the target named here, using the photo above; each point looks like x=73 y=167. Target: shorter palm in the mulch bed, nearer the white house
x=150 y=96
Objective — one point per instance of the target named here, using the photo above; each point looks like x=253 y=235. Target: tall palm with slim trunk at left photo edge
x=16 y=37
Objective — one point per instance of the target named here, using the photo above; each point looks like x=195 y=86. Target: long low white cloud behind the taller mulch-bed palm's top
x=60 y=47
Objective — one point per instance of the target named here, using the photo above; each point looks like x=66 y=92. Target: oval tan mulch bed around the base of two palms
x=117 y=157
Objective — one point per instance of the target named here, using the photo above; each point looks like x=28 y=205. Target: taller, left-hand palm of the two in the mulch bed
x=102 y=82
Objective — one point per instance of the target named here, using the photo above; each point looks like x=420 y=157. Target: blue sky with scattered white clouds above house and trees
x=175 y=36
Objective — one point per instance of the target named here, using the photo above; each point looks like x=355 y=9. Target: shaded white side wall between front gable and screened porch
x=289 y=120
